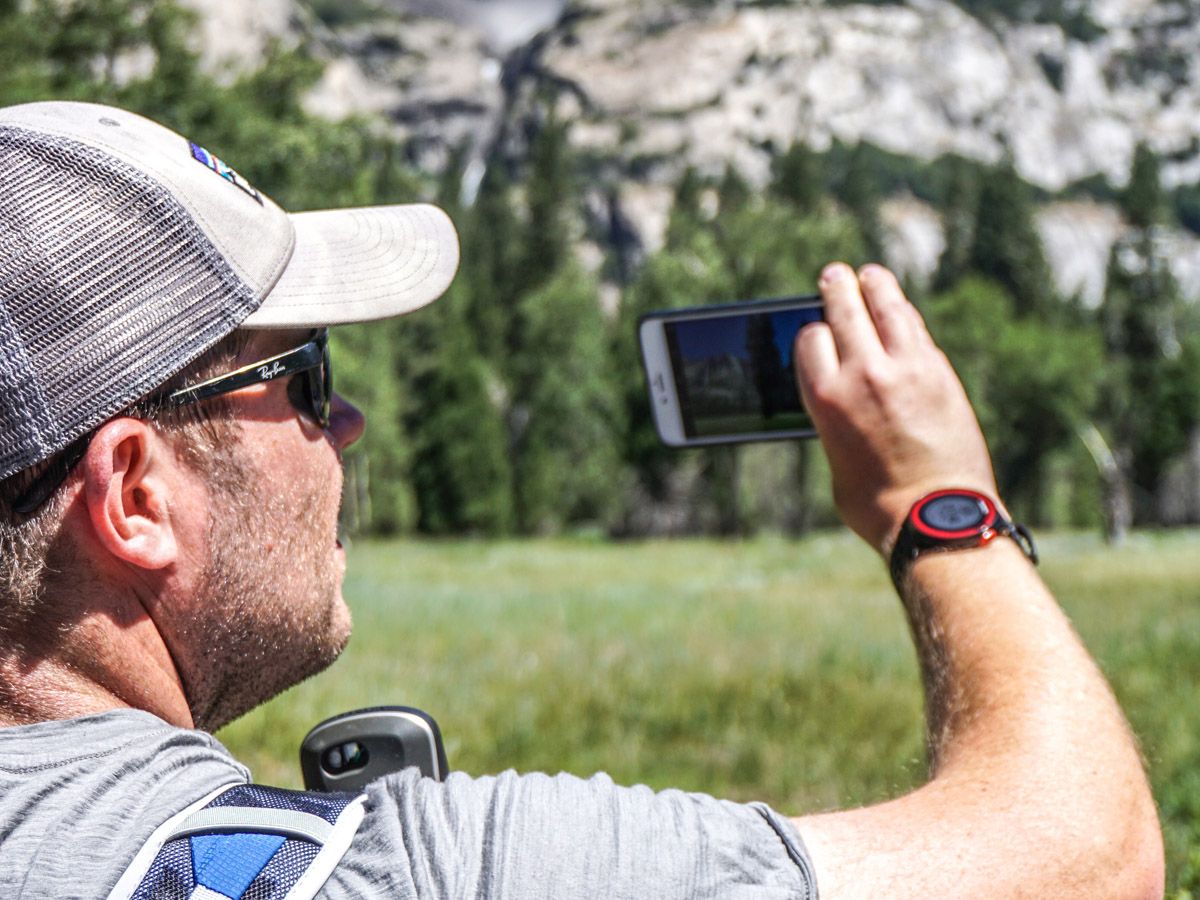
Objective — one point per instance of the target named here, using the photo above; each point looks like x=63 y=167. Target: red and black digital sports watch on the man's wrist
x=953 y=519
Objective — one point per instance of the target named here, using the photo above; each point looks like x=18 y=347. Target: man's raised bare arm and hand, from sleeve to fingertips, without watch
x=1037 y=789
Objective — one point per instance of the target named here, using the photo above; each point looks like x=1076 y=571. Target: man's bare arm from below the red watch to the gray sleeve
x=1037 y=789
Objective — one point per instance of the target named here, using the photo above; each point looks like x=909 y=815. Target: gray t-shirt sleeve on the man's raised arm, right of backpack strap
x=525 y=837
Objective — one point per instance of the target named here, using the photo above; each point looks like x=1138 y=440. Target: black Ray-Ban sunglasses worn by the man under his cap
x=311 y=392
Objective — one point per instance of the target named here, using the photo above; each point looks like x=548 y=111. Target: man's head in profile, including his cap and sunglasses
x=134 y=267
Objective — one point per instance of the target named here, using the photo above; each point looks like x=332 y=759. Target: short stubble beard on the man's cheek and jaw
x=269 y=610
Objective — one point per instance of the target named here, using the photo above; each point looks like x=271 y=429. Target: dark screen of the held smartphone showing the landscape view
x=735 y=374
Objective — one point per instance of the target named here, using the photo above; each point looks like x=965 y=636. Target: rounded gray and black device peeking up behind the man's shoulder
x=350 y=751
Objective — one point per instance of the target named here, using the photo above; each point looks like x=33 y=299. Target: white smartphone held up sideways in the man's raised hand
x=724 y=375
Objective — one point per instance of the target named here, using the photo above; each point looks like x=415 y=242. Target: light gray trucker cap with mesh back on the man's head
x=127 y=251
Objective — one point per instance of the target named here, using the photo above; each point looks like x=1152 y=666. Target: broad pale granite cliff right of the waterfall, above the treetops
x=725 y=82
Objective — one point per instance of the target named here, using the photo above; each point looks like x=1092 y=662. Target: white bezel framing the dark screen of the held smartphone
x=661 y=374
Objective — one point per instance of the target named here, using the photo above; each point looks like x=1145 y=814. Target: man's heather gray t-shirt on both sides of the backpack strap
x=80 y=797
